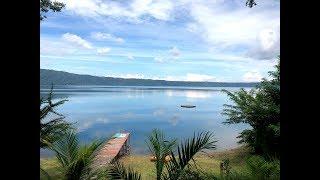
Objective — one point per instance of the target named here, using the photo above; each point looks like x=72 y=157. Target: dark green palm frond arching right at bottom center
x=186 y=152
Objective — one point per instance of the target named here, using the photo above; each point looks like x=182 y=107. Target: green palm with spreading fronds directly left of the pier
x=75 y=159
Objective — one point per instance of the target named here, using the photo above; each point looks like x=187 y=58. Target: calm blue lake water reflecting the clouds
x=100 y=111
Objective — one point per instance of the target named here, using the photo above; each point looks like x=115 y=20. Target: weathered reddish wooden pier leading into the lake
x=116 y=147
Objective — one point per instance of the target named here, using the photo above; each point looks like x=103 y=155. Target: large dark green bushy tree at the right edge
x=260 y=108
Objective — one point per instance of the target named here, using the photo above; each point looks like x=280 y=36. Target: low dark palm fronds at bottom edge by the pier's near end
x=119 y=172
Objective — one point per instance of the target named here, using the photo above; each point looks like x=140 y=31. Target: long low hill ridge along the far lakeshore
x=48 y=77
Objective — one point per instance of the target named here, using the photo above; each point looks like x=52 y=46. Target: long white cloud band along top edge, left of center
x=134 y=10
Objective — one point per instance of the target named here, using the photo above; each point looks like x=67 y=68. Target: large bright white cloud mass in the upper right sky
x=225 y=28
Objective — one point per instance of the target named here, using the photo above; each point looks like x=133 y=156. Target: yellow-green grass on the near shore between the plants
x=208 y=163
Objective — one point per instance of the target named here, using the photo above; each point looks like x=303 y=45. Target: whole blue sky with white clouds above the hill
x=188 y=40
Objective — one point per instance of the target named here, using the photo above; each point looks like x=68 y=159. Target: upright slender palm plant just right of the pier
x=160 y=148
